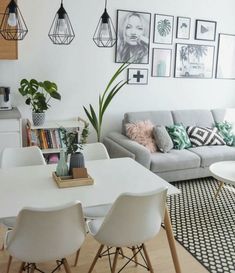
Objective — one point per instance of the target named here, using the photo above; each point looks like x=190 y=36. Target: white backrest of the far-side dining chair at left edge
x=18 y=157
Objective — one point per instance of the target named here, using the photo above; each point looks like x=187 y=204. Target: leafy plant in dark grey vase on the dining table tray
x=74 y=146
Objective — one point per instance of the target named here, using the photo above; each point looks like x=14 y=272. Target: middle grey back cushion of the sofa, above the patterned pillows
x=194 y=117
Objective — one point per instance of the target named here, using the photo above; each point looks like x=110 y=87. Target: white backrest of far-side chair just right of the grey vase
x=95 y=151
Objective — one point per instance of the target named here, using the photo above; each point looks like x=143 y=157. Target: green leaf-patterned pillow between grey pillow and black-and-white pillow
x=179 y=136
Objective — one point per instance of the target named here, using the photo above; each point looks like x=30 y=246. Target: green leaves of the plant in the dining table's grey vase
x=71 y=141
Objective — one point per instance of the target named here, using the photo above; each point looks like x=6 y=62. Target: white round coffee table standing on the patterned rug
x=224 y=172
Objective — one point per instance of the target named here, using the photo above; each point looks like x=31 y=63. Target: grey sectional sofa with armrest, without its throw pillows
x=177 y=164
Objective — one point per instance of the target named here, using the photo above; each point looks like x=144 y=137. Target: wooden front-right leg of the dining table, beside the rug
x=171 y=241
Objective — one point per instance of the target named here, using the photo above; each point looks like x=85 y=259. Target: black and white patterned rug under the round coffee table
x=205 y=225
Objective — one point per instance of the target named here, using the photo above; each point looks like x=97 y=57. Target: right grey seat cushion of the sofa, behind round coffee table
x=211 y=154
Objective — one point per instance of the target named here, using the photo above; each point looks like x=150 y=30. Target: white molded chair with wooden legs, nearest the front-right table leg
x=132 y=220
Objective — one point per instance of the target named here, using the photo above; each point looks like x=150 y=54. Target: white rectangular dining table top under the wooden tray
x=34 y=186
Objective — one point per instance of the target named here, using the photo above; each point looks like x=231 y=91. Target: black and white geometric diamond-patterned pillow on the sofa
x=201 y=136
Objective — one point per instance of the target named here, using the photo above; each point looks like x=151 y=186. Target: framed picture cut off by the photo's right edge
x=225 y=65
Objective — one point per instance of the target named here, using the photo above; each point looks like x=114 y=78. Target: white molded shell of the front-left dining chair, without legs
x=48 y=234
